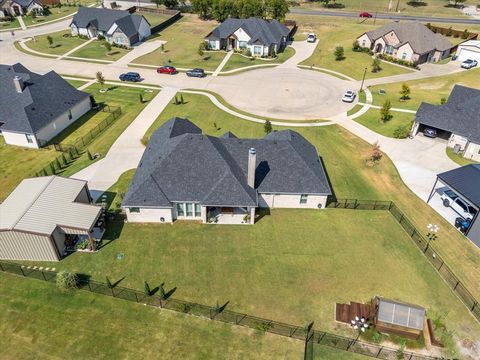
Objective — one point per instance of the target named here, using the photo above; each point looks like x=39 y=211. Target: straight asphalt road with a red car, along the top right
x=386 y=16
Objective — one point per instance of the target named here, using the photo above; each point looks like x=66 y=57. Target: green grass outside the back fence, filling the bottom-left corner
x=41 y=322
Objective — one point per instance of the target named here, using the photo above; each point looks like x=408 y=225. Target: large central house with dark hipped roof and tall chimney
x=187 y=175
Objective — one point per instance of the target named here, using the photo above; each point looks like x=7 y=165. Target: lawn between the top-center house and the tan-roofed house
x=333 y=32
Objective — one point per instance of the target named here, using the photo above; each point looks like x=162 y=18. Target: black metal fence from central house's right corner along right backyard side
x=423 y=244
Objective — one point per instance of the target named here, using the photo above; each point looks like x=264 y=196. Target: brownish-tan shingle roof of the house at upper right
x=420 y=38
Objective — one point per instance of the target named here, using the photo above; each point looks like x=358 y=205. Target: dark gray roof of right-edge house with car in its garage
x=460 y=114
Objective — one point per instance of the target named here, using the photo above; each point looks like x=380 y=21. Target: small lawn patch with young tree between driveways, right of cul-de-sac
x=371 y=119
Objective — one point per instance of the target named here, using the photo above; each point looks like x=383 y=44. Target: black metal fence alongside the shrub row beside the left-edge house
x=71 y=151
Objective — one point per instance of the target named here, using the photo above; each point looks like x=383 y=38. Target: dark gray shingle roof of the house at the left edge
x=44 y=98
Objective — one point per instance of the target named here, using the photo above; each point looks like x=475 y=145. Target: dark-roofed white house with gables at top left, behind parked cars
x=117 y=26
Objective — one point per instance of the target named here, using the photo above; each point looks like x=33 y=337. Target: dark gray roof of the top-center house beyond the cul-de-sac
x=264 y=32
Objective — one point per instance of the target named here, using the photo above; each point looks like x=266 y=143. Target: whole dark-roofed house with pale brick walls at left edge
x=35 y=108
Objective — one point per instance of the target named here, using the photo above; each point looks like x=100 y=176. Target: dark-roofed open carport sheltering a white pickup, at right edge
x=465 y=183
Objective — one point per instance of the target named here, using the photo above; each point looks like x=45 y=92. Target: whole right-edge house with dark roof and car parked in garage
x=458 y=120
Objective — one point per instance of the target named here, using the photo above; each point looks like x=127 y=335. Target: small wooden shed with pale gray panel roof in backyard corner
x=398 y=318
